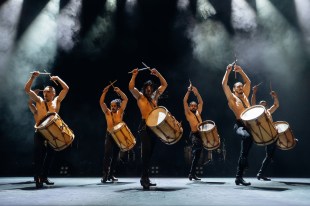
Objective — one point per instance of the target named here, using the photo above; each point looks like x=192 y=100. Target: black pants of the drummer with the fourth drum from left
x=196 y=144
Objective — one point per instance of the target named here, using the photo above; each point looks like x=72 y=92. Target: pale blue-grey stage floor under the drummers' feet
x=169 y=191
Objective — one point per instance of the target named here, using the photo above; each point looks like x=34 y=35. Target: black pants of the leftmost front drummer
x=43 y=156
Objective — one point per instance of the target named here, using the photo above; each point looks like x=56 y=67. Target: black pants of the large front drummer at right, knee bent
x=246 y=144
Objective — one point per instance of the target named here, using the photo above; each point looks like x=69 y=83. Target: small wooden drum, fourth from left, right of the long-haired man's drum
x=210 y=137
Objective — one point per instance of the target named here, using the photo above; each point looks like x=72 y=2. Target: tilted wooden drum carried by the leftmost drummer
x=55 y=131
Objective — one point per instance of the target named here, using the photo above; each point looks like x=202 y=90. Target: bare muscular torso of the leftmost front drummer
x=53 y=106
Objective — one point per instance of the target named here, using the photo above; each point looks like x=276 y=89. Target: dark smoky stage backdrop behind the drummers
x=182 y=44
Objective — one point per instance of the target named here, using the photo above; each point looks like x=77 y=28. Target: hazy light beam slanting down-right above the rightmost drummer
x=281 y=51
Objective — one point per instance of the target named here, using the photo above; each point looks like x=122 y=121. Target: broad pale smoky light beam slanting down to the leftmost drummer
x=35 y=50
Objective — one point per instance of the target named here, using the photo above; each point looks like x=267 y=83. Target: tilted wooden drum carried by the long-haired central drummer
x=168 y=129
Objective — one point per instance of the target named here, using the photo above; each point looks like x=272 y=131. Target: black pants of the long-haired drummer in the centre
x=148 y=142
